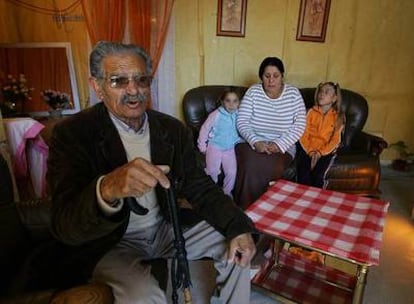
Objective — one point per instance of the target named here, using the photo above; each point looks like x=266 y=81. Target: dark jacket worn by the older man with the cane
x=86 y=146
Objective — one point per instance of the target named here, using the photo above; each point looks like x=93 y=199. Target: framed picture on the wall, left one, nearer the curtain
x=231 y=18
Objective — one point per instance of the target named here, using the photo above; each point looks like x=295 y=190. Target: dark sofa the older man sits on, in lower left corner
x=29 y=259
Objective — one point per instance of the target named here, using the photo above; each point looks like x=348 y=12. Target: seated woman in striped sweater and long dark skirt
x=272 y=118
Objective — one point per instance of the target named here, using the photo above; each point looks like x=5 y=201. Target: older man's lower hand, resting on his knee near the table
x=242 y=250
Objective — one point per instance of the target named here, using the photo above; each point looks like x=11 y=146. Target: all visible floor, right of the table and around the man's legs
x=392 y=282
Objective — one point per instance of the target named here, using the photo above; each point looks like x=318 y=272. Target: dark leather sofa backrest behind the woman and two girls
x=200 y=101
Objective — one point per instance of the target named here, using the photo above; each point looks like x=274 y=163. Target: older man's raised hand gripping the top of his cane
x=133 y=179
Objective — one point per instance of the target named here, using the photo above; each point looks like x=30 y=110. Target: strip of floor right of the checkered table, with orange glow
x=393 y=280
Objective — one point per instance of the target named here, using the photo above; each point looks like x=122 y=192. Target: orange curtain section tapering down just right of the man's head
x=148 y=25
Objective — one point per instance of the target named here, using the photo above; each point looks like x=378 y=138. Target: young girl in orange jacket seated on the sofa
x=317 y=146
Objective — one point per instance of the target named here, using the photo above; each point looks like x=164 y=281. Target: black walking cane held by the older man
x=180 y=273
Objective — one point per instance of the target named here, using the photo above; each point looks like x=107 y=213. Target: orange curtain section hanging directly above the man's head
x=105 y=19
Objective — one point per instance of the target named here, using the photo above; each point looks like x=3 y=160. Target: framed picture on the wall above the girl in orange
x=313 y=20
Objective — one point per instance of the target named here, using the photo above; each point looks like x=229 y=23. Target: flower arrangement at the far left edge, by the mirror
x=15 y=93
